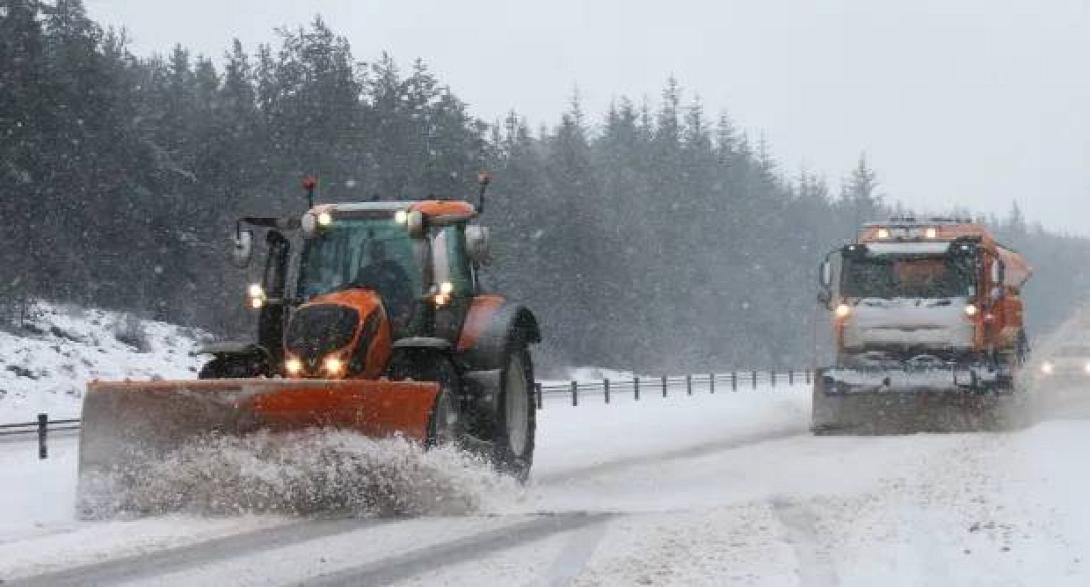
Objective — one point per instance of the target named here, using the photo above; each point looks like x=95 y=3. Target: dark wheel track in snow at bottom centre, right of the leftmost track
x=395 y=569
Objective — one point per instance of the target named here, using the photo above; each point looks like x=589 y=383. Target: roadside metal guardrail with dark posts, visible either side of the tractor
x=636 y=387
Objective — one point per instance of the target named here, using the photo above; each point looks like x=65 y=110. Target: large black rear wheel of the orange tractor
x=516 y=415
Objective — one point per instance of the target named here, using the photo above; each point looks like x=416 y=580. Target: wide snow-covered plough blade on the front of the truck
x=902 y=402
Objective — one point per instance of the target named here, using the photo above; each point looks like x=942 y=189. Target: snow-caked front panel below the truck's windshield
x=934 y=324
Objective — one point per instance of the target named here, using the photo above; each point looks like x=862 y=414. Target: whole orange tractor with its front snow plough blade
x=372 y=319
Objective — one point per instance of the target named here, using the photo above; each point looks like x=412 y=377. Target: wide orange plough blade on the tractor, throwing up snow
x=141 y=420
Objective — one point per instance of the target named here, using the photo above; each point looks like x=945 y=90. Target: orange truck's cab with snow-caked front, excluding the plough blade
x=939 y=293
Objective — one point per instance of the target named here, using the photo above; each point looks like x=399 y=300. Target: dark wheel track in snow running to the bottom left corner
x=161 y=562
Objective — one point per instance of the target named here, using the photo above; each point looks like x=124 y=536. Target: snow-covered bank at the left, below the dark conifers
x=46 y=362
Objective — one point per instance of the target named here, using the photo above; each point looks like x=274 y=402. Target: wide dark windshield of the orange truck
x=904 y=276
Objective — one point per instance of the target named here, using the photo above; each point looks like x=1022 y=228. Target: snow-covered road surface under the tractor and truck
x=710 y=490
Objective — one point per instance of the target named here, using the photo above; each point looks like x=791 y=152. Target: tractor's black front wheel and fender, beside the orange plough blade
x=445 y=423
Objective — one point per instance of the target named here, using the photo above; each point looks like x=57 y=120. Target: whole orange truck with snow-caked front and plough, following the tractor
x=928 y=321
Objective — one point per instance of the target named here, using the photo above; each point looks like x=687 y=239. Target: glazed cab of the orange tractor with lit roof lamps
x=420 y=258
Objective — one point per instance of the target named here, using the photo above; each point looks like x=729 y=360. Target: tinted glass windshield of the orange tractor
x=376 y=253
